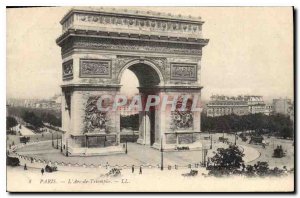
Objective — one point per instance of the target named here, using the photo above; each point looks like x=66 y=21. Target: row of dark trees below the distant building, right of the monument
x=279 y=125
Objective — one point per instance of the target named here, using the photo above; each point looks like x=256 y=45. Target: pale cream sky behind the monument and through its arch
x=250 y=51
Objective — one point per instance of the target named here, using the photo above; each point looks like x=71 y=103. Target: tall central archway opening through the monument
x=136 y=125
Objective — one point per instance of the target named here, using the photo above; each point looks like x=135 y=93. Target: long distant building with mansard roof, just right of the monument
x=220 y=105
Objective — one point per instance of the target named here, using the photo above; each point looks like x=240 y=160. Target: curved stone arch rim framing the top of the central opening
x=150 y=67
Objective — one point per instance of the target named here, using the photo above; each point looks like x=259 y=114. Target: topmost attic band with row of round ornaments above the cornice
x=133 y=22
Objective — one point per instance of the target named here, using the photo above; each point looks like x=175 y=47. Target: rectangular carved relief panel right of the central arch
x=184 y=71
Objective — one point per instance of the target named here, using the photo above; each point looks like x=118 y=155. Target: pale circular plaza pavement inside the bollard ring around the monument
x=137 y=155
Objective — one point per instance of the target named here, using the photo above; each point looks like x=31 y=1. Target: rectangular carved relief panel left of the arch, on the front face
x=95 y=68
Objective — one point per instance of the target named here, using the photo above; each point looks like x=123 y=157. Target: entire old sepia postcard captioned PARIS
x=150 y=99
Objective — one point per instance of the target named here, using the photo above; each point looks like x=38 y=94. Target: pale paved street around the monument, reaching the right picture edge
x=144 y=155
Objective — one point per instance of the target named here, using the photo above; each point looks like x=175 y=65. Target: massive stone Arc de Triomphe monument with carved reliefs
x=97 y=46
